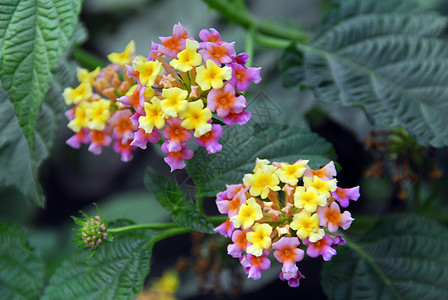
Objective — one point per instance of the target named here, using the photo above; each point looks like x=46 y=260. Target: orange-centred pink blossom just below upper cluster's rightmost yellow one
x=224 y=101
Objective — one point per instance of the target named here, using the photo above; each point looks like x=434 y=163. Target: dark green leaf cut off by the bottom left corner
x=21 y=270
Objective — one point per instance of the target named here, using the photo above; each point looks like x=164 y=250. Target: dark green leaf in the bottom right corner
x=402 y=257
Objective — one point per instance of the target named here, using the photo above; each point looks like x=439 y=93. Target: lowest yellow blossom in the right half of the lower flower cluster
x=307 y=226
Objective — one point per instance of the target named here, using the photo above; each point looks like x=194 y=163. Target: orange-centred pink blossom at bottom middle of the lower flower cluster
x=288 y=254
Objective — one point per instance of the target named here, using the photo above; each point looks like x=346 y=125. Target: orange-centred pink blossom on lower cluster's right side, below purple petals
x=331 y=217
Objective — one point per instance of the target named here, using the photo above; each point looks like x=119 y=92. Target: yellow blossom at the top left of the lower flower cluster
x=264 y=180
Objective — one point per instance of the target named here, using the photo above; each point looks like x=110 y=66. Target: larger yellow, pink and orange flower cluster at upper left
x=184 y=89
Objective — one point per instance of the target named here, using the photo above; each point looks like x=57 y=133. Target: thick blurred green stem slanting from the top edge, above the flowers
x=234 y=13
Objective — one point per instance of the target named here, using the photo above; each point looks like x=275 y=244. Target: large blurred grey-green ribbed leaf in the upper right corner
x=386 y=57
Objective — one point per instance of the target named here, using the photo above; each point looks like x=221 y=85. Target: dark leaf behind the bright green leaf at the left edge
x=19 y=163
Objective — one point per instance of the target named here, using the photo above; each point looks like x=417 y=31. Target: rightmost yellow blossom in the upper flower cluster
x=211 y=75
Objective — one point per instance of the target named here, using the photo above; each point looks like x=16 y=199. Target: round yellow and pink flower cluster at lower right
x=287 y=210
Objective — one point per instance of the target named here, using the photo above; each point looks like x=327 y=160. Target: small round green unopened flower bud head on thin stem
x=92 y=233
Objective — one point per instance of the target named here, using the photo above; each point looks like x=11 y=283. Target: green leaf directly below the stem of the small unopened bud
x=115 y=271
